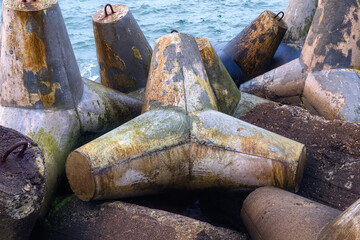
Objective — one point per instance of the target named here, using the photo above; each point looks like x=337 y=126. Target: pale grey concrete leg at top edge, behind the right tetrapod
x=298 y=16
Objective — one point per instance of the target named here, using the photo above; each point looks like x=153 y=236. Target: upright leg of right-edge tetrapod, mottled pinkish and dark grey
x=332 y=41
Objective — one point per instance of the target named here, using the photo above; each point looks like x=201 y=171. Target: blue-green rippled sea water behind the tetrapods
x=217 y=20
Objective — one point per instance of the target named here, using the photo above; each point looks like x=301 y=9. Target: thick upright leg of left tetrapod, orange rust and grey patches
x=30 y=58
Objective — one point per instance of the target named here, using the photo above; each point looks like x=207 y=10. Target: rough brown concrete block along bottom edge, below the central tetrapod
x=117 y=220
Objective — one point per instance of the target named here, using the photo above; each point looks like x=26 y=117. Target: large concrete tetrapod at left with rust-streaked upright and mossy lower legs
x=42 y=93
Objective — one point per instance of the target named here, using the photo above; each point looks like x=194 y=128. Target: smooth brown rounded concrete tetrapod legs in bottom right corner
x=271 y=213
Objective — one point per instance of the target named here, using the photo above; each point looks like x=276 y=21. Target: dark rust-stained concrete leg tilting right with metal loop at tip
x=253 y=48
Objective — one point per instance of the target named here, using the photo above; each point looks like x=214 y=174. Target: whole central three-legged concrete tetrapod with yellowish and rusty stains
x=181 y=141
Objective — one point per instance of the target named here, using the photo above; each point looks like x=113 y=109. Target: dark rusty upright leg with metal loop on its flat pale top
x=123 y=52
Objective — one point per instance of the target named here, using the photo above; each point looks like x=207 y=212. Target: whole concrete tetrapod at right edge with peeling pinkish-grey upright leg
x=328 y=63
